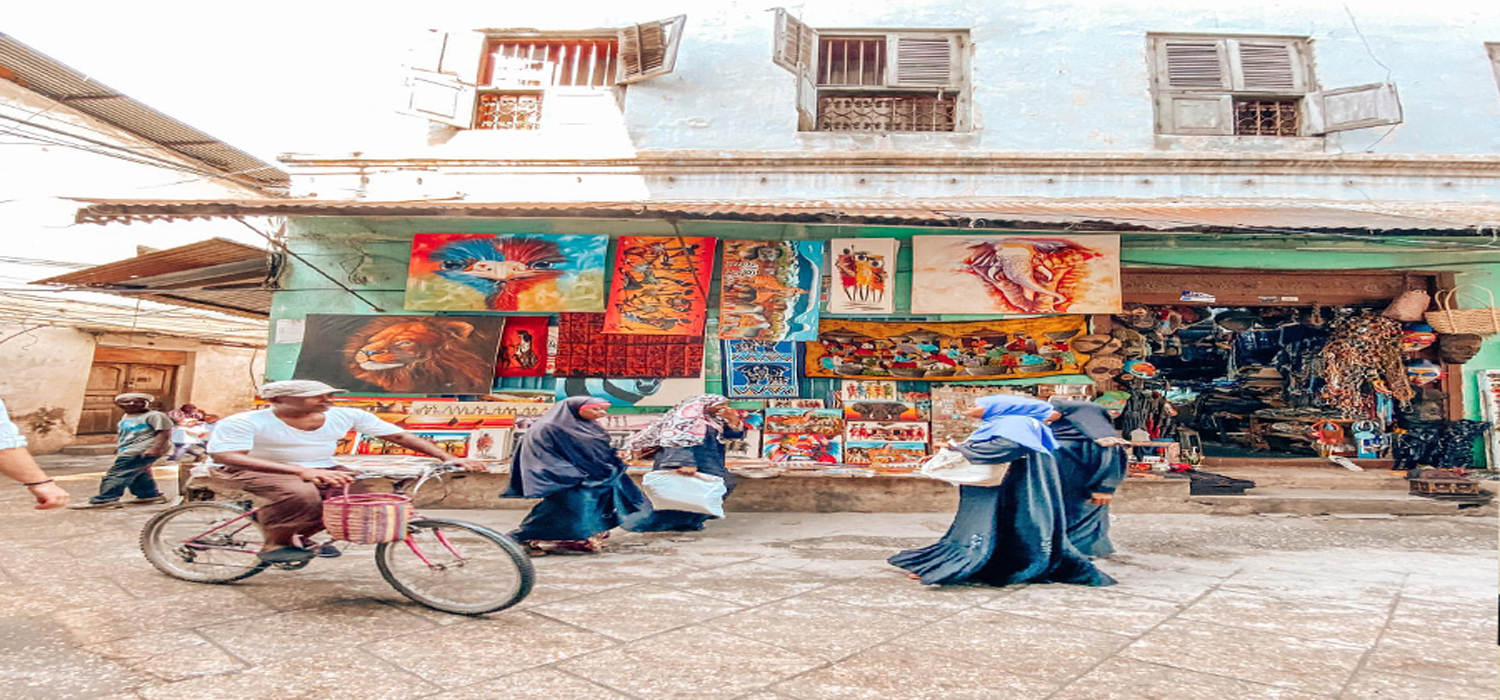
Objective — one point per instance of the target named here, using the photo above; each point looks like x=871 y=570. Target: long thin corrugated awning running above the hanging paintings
x=1073 y=215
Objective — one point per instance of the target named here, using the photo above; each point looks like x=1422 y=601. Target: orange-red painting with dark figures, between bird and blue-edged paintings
x=661 y=286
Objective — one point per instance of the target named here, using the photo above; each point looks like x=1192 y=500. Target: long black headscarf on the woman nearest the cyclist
x=563 y=450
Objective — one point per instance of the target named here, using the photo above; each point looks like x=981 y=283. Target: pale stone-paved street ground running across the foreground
x=770 y=608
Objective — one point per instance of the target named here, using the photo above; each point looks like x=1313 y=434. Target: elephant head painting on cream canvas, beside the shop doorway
x=1016 y=275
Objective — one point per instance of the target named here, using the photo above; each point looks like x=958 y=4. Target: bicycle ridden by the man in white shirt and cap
x=449 y=566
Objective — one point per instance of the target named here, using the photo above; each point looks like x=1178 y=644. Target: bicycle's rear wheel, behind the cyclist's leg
x=203 y=543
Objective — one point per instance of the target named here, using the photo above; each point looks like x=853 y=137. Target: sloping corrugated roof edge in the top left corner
x=52 y=79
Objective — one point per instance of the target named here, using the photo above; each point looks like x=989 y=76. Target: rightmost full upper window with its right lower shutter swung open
x=1255 y=86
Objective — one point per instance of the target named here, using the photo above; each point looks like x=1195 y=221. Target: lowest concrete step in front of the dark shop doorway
x=1333 y=501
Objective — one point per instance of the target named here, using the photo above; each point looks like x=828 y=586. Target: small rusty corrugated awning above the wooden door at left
x=217 y=275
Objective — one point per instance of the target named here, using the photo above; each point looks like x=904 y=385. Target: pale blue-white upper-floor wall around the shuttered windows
x=1034 y=79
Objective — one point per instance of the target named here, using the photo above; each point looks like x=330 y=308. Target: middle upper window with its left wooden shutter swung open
x=875 y=82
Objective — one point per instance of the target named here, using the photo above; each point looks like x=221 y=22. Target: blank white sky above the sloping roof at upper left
x=320 y=76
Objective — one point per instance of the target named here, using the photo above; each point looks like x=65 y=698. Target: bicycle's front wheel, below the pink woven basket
x=457 y=567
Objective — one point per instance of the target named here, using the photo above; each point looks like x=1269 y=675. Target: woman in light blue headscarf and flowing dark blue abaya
x=1013 y=533
